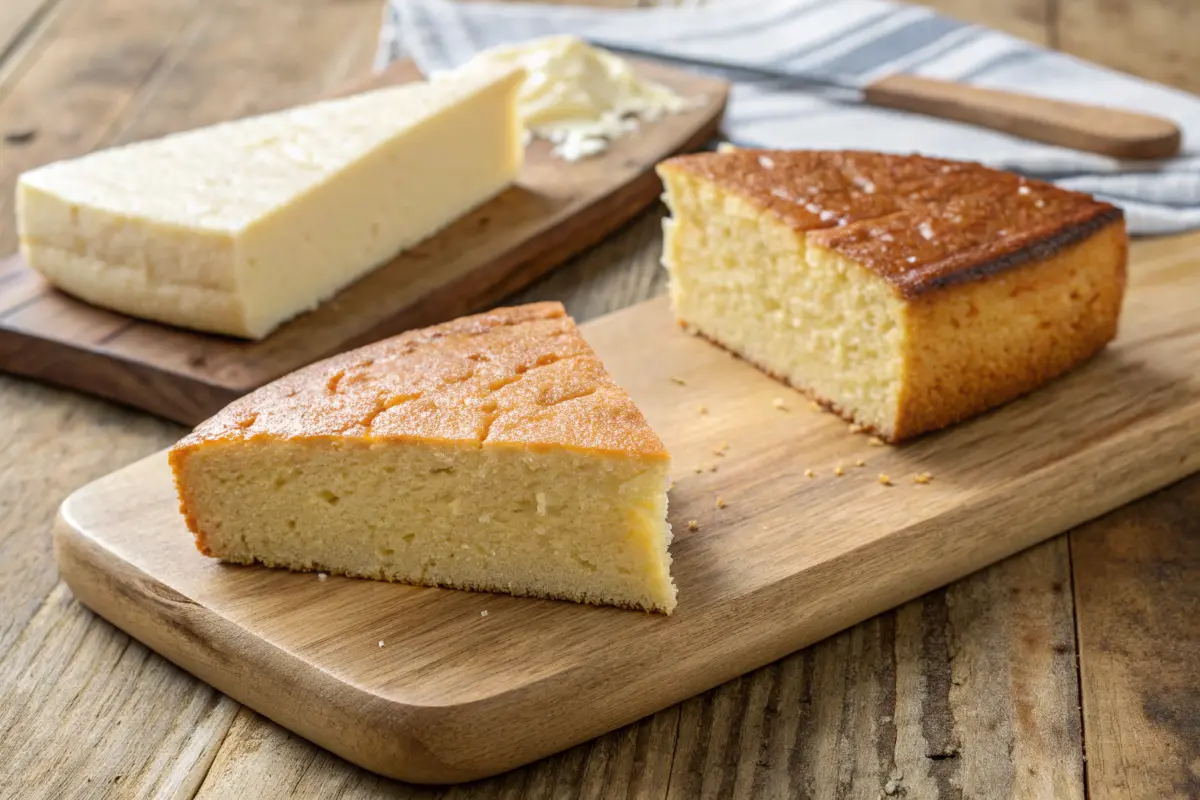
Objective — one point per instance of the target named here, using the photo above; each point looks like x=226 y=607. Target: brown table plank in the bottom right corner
x=1138 y=605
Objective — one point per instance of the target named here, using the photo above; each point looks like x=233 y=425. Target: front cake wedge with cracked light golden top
x=493 y=453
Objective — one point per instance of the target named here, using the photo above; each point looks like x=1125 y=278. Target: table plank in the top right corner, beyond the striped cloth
x=1153 y=39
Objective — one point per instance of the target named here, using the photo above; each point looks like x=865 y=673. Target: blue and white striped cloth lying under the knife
x=862 y=40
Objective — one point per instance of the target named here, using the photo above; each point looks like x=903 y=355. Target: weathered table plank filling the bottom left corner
x=139 y=726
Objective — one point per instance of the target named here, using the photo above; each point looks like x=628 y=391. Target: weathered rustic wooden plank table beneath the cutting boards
x=995 y=687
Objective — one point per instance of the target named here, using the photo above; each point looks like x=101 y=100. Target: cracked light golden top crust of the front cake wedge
x=520 y=376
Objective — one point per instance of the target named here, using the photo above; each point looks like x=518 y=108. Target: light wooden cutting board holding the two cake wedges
x=453 y=695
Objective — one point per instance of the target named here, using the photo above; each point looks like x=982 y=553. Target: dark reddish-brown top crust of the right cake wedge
x=920 y=224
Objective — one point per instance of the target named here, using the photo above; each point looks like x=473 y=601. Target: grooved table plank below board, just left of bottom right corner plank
x=969 y=693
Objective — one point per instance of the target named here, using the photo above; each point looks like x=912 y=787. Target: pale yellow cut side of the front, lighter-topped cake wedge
x=496 y=520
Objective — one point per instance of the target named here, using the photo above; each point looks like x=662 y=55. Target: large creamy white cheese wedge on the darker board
x=239 y=227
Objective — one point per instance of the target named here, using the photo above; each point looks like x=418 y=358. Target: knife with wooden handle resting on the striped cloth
x=1094 y=129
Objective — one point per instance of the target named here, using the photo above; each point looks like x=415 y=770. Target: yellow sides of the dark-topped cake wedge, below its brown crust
x=897 y=365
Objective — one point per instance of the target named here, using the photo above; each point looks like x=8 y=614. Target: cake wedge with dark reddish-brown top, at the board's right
x=905 y=293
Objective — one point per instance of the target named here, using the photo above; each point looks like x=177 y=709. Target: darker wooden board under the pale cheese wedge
x=556 y=210
